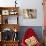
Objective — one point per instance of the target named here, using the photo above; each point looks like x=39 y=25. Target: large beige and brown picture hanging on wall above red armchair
x=30 y=13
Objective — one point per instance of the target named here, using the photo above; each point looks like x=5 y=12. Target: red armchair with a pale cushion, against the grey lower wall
x=28 y=34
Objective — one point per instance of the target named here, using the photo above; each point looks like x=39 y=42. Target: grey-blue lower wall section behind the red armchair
x=37 y=29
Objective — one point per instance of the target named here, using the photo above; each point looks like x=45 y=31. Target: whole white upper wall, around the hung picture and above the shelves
x=32 y=4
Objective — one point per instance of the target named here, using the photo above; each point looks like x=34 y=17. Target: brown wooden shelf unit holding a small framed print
x=6 y=24
